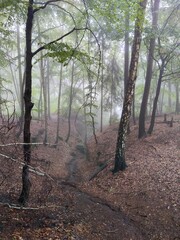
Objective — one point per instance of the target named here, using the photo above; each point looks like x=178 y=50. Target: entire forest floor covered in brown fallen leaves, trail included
x=140 y=203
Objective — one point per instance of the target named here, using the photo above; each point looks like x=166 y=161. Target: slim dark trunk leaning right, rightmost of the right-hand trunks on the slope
x=150 y=130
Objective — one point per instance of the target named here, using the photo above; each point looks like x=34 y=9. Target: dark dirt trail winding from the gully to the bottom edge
x=104 y=220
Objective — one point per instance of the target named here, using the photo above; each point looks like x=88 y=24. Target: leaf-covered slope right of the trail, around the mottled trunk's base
x=148 y=191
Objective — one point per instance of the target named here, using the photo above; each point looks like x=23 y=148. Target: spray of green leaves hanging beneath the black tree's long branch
x=63 y=53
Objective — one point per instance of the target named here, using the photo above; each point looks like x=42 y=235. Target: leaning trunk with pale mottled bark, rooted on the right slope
x=120 y=163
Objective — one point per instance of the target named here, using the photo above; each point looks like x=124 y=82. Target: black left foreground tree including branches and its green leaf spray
x=62 y=52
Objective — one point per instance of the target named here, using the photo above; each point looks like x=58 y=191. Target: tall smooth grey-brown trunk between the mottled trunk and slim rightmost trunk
x=142 y=116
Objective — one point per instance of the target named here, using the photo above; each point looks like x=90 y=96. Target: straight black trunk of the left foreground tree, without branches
x=28 y=107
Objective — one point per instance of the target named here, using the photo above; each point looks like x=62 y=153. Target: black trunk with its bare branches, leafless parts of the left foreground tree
x=26 y=184
